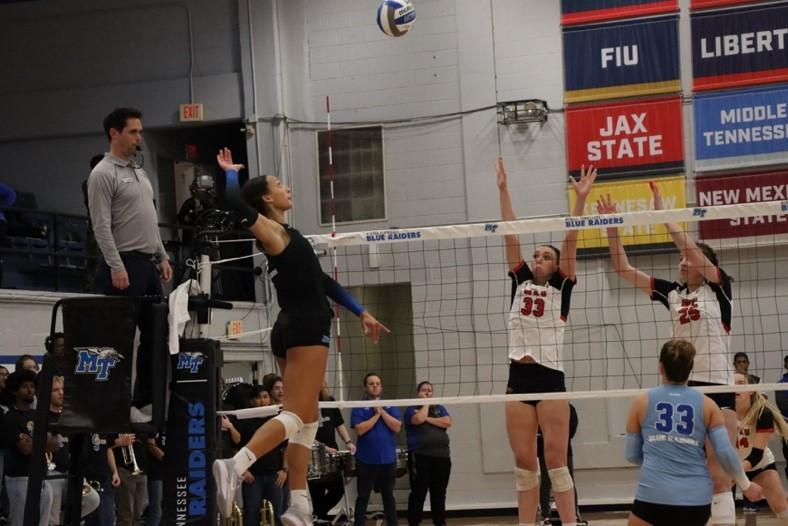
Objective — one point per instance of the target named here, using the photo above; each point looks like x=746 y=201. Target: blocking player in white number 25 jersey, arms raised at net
x=700 y=309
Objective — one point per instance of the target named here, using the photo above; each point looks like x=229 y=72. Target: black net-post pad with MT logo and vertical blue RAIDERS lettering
x=189 y=487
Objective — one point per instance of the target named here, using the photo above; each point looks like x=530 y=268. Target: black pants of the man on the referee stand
x=144 y=280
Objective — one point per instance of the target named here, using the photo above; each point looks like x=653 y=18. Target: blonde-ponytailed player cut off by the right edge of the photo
x=758 y=420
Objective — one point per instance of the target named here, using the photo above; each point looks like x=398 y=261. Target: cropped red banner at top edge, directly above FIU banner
x=589 y=11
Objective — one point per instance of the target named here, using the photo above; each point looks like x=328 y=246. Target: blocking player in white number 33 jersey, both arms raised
x=540 y=306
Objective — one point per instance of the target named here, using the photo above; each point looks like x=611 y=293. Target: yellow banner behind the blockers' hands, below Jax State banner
x=630 y=196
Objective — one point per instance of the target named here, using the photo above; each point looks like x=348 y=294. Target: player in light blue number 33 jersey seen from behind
x=667 y=430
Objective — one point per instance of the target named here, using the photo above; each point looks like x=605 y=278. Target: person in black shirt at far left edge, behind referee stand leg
x=16 y=435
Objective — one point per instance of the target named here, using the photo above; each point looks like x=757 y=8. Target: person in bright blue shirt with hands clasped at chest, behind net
x=376 y=451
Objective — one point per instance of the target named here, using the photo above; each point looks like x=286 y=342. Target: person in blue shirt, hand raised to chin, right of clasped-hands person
x=429 y=461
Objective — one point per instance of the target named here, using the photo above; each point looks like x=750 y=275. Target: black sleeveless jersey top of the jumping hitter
x=298 y=277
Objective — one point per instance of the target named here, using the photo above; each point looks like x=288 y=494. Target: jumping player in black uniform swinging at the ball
x=299 y=340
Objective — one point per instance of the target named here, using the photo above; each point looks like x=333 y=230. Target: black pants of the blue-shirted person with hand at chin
x=428 y=474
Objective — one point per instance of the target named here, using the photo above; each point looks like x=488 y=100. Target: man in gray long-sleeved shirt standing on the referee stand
x=125 y=223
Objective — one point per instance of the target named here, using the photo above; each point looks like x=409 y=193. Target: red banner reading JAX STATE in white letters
x=642 y=136
